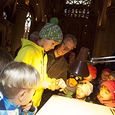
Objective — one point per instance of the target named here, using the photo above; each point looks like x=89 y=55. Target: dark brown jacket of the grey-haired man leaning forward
x=57 y=67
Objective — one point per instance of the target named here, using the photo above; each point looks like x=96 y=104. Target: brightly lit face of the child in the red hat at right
x=104 y=93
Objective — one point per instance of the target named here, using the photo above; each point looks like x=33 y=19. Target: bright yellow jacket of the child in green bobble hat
x=34 y=55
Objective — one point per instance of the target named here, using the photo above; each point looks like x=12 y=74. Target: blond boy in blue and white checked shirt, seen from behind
x=18 y=82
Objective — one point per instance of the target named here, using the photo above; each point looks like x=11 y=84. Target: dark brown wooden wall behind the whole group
x=93 y=24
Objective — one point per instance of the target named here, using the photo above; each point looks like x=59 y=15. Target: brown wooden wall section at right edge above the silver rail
x=105 y=35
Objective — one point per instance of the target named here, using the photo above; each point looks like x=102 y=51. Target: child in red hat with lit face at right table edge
x=106 y=94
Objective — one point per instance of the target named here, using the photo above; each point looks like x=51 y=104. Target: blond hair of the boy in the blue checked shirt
x=16 y=76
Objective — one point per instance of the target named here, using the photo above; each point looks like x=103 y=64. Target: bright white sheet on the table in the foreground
x=59 y=105
